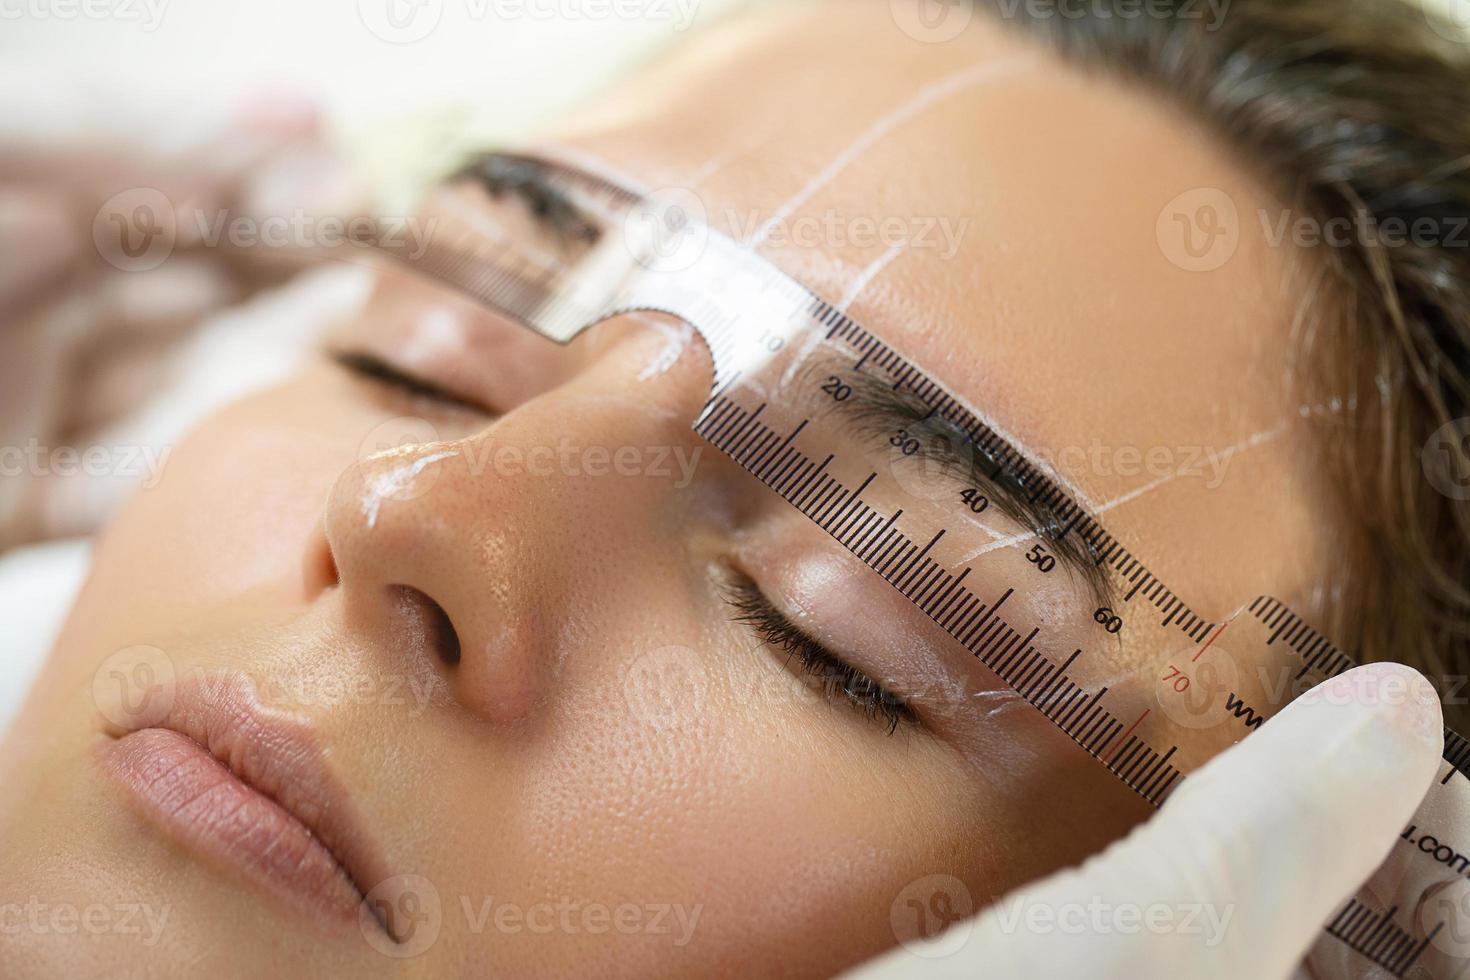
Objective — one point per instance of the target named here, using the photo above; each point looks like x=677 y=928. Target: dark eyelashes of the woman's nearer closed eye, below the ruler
x=840 y=681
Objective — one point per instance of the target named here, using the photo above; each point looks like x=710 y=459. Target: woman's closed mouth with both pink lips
x=248 y=791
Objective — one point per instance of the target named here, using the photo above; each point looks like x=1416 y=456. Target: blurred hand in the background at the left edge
x=117 y=275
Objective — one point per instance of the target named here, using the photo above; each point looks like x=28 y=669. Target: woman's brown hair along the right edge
x=1355 y=111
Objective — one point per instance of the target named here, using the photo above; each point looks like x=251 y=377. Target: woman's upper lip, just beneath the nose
x=277 y=756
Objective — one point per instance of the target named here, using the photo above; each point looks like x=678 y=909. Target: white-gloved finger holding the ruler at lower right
x=1269 y=841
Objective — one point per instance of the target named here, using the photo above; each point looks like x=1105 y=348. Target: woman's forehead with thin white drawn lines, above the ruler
x=1078 y=259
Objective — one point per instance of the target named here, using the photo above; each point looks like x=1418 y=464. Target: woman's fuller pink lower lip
x=209 y=810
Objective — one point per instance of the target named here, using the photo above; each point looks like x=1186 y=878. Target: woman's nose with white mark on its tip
x=476 y=555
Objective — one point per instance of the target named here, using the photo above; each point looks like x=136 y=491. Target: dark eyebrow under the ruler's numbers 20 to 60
x=878 y=412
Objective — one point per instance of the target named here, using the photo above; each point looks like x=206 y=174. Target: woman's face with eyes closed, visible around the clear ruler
x=501 y=669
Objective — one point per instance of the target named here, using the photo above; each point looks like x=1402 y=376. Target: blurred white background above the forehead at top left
x=370 y=64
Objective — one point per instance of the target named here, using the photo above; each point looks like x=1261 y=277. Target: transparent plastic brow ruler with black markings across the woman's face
x=561 y=251
